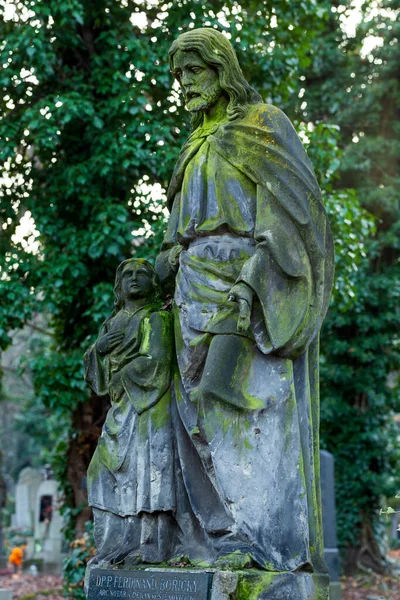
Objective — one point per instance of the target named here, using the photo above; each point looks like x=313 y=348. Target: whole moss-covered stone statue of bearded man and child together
x=216 y=458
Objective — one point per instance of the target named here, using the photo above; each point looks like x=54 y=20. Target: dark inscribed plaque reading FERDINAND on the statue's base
x=149 y=585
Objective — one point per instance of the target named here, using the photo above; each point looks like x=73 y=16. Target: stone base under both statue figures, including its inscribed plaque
x=143 y=583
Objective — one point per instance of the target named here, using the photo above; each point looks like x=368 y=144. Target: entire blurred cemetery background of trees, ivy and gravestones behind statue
x=91 y=124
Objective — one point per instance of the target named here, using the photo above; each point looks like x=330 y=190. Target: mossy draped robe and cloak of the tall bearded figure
x=246 y=207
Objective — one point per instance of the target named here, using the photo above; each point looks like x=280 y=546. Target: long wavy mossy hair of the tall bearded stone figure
x=217 y=51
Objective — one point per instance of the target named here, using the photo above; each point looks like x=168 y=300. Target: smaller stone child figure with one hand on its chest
x=131 y=477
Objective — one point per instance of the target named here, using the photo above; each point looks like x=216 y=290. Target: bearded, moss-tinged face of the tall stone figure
x=199 y=81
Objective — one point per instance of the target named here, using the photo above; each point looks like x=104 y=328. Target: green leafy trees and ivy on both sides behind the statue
x=91 y=128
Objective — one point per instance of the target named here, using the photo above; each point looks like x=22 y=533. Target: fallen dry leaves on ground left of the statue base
x=23 y=585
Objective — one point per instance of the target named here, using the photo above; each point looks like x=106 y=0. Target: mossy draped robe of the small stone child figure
x=131 y=470
